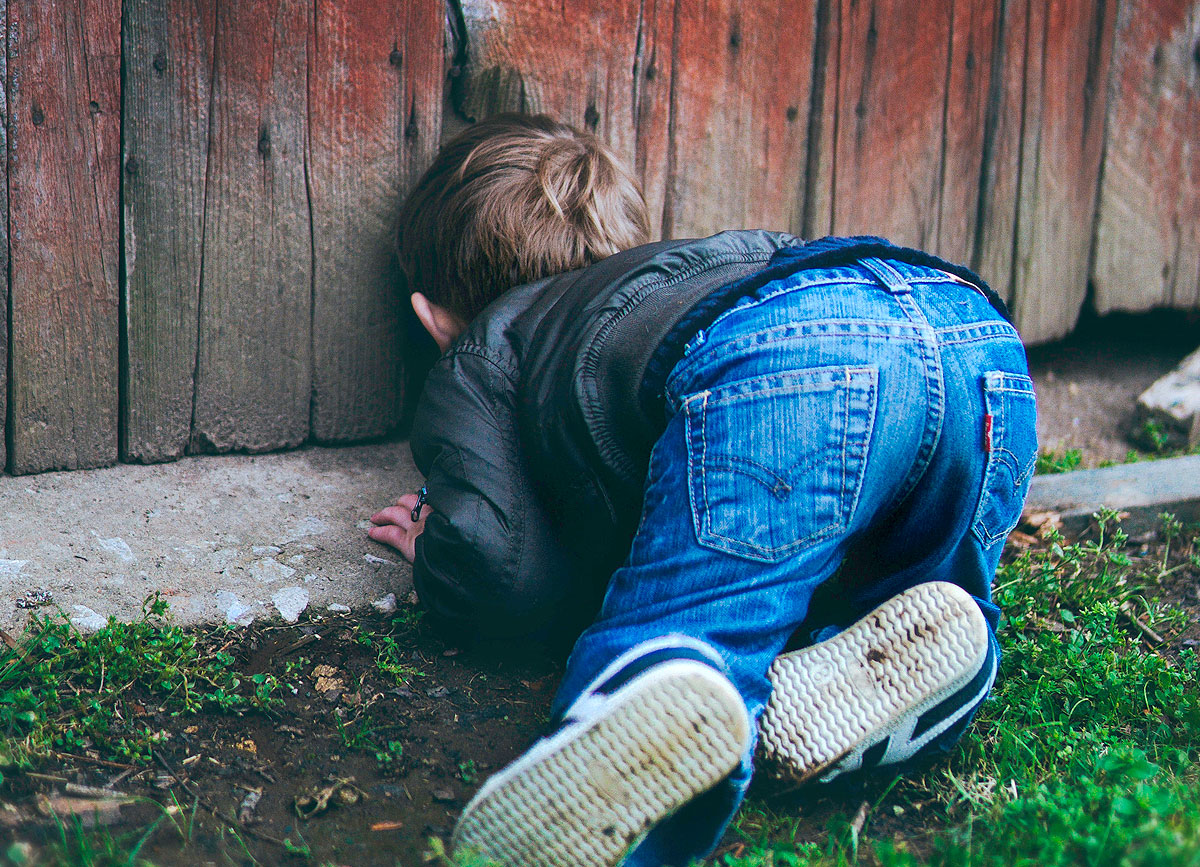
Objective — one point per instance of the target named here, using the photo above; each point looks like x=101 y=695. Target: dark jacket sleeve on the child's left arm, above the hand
x=488 y=563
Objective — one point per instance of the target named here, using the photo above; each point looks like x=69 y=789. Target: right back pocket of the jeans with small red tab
x=1011 y=441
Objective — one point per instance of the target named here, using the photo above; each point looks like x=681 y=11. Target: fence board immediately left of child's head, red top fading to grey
x=375 y=95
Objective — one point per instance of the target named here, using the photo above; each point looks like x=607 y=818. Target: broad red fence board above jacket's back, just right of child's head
x=740 y=109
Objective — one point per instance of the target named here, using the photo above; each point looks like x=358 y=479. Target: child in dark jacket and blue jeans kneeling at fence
x=700 y=434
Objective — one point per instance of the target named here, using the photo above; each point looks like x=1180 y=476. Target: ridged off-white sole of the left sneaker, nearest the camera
x=586 y=796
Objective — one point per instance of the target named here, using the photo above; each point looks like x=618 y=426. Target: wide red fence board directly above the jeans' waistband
x=886 y=101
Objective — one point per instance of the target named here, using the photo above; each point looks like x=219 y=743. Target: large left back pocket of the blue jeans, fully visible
x=776 y=463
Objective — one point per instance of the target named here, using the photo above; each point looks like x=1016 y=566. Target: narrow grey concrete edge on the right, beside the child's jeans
x=1144 y=491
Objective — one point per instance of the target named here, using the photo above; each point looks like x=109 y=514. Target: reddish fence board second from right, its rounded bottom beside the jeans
x=1066 y=61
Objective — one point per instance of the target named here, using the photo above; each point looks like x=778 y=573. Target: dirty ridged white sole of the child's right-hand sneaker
x=844 y=696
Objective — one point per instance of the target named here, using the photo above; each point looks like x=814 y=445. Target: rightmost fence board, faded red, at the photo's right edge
x=1148 y=240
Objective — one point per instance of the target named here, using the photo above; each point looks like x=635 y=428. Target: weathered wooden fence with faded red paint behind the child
x=200 y=193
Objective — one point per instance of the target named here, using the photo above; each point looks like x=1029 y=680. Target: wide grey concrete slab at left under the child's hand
x=230 y=539
